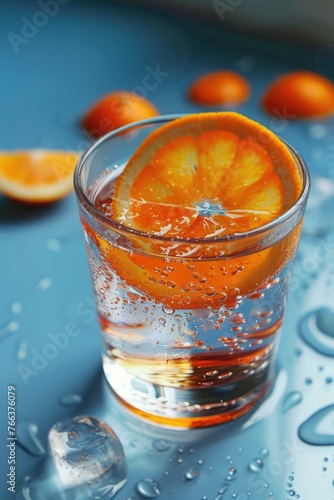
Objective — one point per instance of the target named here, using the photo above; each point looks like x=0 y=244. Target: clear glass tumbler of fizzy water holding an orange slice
x=179 y=351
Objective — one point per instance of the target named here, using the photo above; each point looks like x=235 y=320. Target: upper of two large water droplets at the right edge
x=317 y=330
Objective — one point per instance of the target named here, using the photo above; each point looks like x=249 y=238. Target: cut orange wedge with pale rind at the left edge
x=37 y=175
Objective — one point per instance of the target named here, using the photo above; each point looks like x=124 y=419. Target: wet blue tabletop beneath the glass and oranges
x=53 y=68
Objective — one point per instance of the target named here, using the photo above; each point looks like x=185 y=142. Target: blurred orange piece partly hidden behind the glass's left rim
x=115 y=110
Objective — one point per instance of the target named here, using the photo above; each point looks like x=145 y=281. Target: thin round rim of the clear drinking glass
x=119 y=227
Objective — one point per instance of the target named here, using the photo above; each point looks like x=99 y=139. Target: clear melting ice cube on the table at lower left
x=88 y=456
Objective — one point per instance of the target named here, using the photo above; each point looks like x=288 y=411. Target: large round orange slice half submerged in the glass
x=193 y=181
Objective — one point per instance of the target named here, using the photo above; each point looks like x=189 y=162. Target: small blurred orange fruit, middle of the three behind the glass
x=219 y=88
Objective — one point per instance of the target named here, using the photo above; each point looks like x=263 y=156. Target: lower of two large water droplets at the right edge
x=318 y=429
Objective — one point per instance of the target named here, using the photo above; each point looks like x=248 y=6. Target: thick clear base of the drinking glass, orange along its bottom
x=186 y=408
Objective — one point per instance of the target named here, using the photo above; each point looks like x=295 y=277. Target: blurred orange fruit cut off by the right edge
x=300 y=94
